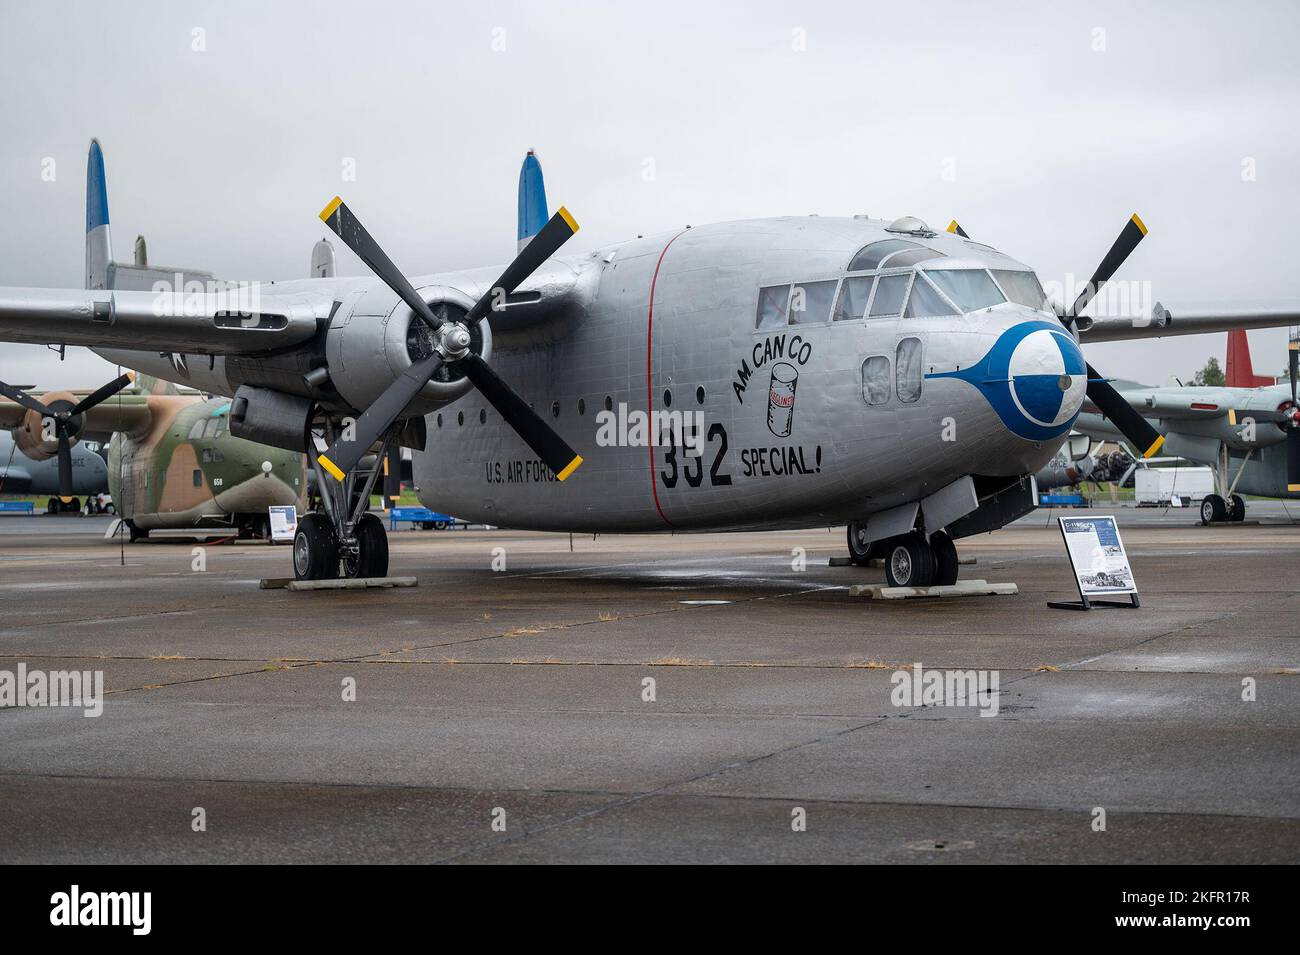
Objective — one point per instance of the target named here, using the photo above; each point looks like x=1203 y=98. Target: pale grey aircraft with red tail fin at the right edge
x=1250 y=436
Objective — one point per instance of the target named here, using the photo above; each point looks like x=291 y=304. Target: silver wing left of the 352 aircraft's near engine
x=241 y=322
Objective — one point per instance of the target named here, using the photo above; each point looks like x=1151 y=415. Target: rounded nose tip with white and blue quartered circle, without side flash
x=1048 y=377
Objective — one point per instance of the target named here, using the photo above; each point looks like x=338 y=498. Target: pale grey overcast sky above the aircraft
x=1039 y=127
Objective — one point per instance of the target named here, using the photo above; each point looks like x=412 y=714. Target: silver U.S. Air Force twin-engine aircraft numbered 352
x=775 y=374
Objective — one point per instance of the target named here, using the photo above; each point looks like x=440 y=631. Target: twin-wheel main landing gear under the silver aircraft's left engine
x=343 y=539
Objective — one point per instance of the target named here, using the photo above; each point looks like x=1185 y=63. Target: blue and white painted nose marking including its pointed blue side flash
x=1034 y=377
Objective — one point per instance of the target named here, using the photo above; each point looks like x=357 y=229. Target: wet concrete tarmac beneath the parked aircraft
x=518 y=696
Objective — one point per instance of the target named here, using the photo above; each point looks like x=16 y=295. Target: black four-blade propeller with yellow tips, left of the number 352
x=452 y=341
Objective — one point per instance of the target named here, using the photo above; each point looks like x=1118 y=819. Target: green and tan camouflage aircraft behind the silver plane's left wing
x=172 y=461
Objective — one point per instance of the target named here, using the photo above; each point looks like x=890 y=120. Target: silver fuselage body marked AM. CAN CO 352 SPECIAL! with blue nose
x=803 y=422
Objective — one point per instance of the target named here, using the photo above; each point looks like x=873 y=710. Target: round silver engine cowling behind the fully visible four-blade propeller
x=380 y=337
